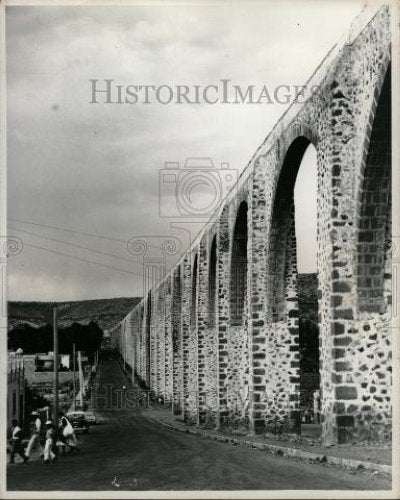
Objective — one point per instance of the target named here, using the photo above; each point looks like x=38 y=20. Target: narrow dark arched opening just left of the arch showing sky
x=238 y=285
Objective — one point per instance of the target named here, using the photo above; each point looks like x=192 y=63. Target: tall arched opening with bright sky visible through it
x=293 y=281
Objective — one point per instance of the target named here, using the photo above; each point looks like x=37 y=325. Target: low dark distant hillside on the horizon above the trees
x=105 y=312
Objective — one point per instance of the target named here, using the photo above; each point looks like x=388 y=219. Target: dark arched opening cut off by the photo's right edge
x=374 y=237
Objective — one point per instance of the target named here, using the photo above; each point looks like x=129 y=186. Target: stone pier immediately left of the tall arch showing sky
x=274 y=300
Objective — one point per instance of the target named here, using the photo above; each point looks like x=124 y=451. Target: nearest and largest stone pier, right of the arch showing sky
x=355 y=369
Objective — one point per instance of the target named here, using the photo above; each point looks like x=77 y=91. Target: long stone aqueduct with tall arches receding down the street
x=218 y=337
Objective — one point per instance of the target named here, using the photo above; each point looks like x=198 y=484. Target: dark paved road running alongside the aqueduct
x=130 y=453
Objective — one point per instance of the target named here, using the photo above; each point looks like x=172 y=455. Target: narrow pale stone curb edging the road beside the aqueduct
x=347 y=463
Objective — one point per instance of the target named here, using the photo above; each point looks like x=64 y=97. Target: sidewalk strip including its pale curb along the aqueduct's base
x=376 y=457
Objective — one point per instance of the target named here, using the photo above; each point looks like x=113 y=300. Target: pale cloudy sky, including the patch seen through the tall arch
x=86 y=179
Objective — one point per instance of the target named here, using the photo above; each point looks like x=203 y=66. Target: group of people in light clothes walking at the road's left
x=50 y=439
